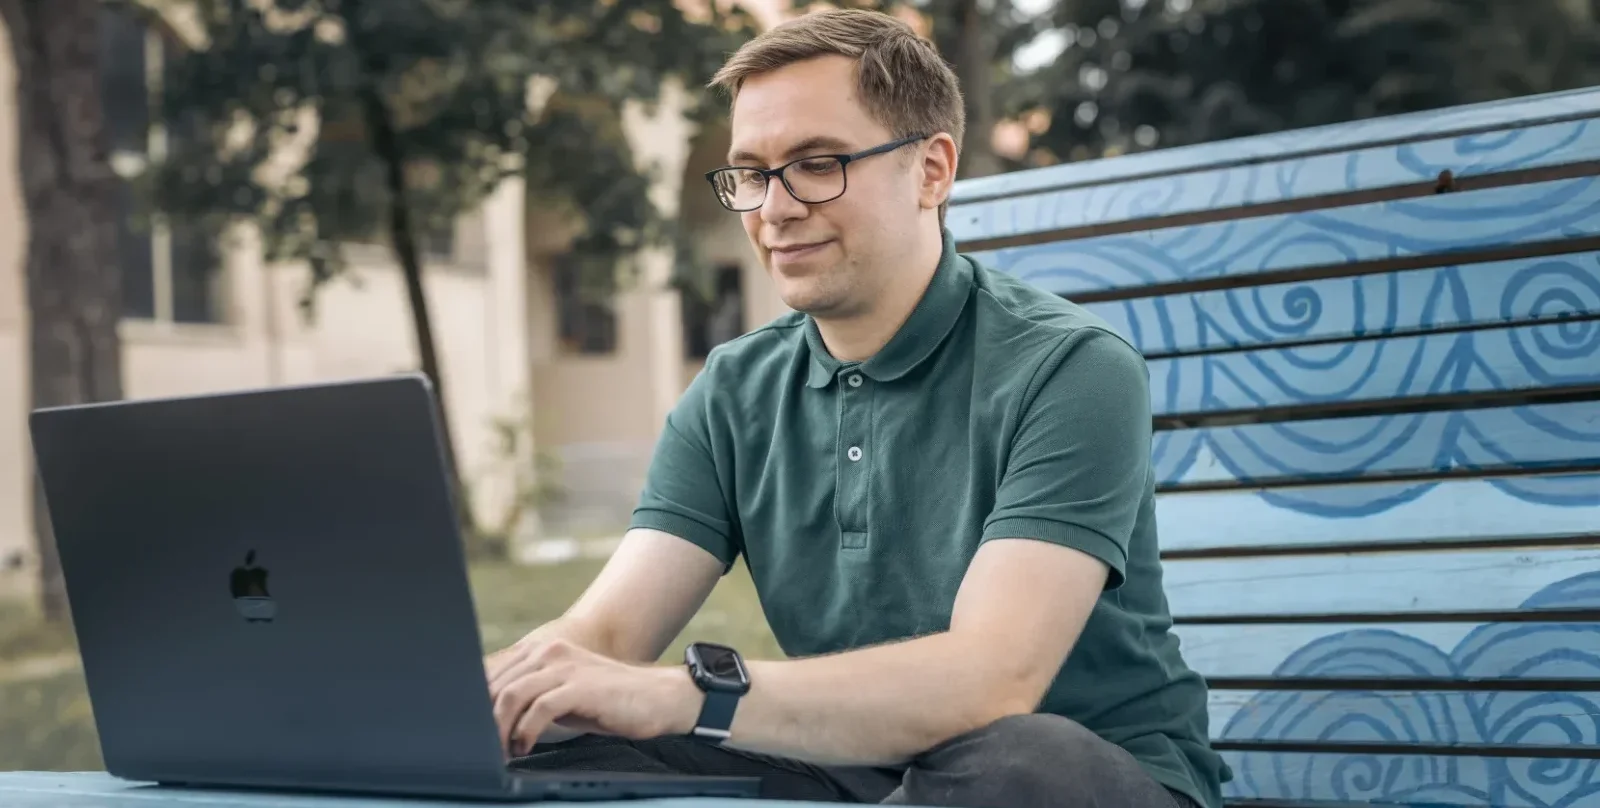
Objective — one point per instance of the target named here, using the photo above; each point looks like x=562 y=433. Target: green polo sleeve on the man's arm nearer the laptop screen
x=684 y=490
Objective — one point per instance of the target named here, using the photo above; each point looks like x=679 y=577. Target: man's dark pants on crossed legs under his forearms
x=1018 y=762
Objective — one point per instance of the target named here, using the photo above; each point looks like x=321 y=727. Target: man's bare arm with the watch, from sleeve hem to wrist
x=1018 y=614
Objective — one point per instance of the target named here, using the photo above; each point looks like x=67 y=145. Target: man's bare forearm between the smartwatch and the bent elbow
x=876 y=706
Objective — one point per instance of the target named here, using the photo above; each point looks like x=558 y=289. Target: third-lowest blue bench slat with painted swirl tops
x=1410 y=652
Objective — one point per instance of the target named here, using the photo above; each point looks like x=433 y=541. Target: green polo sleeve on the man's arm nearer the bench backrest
x=1079 y=465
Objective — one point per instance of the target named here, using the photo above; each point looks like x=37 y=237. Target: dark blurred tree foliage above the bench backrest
x=1154 y=74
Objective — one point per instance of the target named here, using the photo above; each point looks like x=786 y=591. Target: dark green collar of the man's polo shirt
x=927 y=327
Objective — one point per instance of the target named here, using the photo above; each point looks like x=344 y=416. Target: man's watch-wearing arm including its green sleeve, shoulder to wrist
x=1058 y=538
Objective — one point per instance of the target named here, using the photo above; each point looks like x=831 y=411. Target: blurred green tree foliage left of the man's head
x=454 y=76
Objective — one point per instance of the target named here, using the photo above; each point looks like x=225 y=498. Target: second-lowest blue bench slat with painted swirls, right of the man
x=1508 y=719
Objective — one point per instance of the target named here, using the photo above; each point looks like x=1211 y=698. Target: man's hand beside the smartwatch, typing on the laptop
x=553 y=690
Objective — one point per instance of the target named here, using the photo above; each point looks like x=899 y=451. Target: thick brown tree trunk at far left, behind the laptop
x=74 y=287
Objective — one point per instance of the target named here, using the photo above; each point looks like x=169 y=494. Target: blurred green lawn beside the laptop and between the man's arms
x=47 y=724
